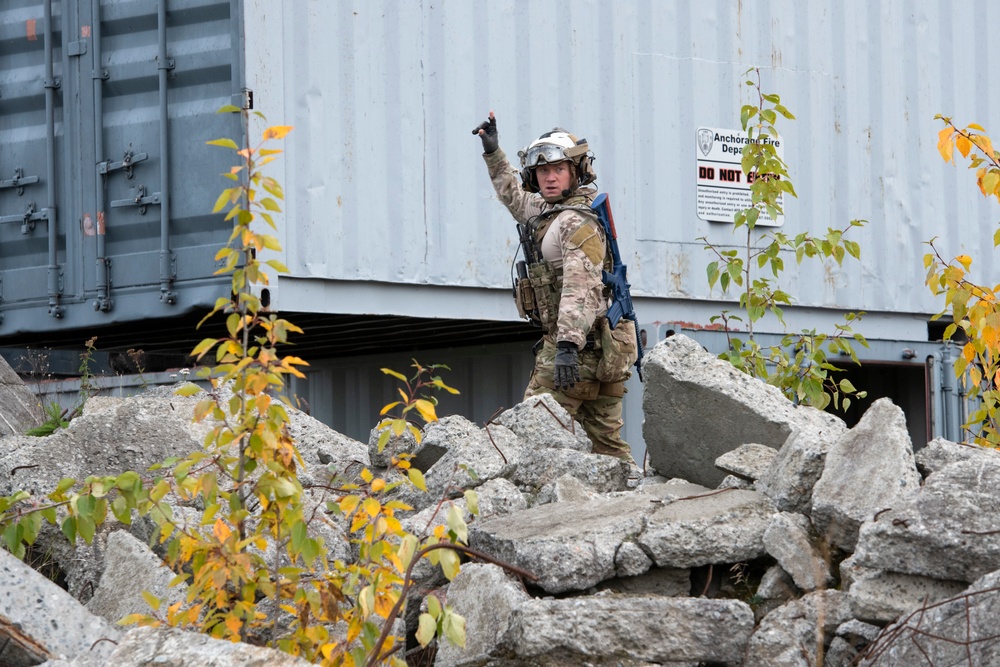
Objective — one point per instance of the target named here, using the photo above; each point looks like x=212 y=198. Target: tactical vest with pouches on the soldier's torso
x=538 y=293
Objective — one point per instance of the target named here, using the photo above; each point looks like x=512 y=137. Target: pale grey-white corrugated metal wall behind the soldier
x=387 y=184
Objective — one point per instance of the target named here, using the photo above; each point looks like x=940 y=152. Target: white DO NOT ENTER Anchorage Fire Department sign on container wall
x=723 y=188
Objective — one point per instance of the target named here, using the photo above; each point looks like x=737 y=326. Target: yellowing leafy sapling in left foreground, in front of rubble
x=255 y=537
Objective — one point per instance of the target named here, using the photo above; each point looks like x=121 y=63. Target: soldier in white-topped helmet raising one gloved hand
x=562 y=290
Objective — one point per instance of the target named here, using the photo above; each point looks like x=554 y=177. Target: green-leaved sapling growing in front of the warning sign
x=805 y=375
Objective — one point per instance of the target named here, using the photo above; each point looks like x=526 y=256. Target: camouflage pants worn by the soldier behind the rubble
x=600 y=414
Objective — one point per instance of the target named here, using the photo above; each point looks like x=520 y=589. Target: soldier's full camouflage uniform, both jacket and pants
x=572 y=241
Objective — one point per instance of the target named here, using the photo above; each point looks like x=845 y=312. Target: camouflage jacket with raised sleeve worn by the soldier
x=580 y=243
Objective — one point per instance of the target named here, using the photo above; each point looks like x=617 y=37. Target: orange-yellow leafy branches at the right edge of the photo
x=973 y=306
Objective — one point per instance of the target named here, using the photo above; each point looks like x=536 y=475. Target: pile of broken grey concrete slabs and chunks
x=762 y=533
